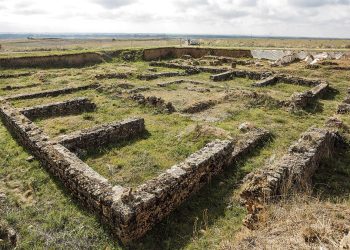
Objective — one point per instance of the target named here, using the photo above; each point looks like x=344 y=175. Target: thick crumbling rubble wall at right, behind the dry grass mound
x=293 y=170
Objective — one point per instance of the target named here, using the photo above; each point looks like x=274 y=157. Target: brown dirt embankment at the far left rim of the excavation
x=53 y=61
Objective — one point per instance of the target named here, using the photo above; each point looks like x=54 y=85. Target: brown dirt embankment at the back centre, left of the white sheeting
x=172 y=52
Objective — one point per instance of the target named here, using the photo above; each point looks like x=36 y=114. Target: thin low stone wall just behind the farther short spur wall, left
x=47 y=93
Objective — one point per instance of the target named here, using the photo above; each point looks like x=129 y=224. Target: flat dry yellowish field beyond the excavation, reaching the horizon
x=28 y=47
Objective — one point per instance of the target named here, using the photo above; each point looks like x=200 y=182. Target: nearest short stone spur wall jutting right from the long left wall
x=103 y=134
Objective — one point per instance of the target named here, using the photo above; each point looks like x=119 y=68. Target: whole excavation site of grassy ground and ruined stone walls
x=174 y=147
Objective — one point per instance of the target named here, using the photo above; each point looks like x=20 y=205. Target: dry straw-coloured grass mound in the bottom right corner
x=299 y=223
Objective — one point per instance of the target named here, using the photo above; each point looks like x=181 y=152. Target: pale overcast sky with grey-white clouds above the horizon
x=318 y=18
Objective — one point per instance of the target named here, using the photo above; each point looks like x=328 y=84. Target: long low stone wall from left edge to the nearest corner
x=86 y=185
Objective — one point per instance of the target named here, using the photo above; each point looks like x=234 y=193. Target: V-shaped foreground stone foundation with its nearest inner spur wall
x=129 y=213
